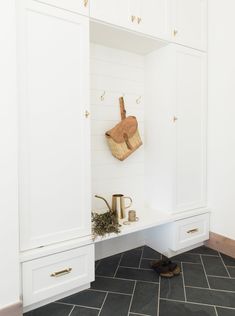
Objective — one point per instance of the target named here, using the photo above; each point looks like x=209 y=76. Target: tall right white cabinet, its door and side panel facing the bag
x=176 y=129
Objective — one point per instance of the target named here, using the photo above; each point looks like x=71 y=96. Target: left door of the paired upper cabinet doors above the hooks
x=112 y=11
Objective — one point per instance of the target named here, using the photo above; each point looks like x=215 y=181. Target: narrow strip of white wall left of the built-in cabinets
x=9 y=276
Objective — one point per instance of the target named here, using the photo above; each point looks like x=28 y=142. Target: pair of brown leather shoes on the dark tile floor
x=166 y=268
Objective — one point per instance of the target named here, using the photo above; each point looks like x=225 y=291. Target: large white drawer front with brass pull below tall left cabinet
x=49 y=276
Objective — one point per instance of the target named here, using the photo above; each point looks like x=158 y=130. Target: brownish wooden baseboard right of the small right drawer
x=221 y=244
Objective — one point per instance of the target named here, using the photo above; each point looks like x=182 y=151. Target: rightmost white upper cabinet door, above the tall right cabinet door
x=189 y=23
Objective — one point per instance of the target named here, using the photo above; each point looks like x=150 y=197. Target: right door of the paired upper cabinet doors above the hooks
x=154 y=18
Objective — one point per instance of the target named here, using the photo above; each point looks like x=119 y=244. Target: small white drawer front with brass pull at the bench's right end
x=190 y=231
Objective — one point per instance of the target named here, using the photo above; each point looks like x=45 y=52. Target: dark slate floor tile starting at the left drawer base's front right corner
x=113 y=285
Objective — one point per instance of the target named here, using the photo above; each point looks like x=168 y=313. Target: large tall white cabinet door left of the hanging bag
x=54 y=133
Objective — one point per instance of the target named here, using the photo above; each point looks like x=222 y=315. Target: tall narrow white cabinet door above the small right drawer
x=190 y=125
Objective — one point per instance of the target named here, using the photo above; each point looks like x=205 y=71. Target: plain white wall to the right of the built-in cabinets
x=221 y=163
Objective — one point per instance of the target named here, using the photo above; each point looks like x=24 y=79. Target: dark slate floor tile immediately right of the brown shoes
x=194 y=275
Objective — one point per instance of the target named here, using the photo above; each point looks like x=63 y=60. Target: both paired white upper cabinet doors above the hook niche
x=149 y=17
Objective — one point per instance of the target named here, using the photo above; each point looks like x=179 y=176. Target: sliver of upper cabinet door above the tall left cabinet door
x=78 y=6
